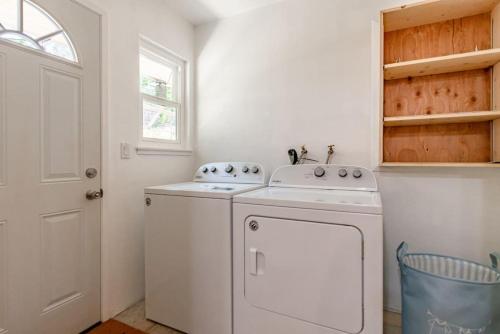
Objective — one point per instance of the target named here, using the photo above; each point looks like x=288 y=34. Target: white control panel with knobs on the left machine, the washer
x=231 y=172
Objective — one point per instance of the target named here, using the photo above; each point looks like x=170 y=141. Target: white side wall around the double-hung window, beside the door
x=123 y=249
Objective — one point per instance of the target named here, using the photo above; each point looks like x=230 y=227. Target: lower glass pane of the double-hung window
x=159 y=122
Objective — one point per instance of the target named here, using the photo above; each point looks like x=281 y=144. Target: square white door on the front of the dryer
x=306 y=270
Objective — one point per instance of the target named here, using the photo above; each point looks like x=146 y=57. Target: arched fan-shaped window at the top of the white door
x=25 y=23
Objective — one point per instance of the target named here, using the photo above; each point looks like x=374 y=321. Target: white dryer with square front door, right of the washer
x=307 y=253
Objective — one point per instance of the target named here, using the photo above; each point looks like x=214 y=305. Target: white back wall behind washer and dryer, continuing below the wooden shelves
x=299 y=72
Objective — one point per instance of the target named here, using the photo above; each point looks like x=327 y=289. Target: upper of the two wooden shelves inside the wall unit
x=439 y=65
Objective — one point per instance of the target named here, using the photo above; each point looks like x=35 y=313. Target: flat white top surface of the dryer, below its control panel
x=368 y=202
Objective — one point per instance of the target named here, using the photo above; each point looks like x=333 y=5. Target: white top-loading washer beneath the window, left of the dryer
x=188 y=247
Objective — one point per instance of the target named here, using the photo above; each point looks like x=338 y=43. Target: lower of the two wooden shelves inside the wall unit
x=452 y=118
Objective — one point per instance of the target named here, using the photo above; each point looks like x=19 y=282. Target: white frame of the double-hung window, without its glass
x=163 y=56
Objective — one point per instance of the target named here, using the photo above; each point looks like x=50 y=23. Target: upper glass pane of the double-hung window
x=157 y=79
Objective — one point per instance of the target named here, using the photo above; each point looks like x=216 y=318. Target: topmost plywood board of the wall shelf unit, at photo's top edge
x=434 y=11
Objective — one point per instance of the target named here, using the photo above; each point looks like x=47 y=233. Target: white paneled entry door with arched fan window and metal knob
x=50 y=135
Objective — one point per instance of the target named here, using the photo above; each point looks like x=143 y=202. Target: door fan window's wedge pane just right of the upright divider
x=36 y=22
